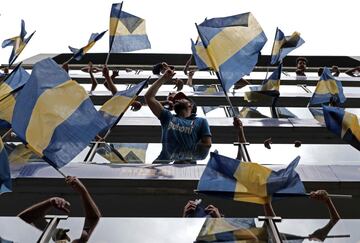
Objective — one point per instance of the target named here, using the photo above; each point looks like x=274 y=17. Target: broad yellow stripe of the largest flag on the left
x=41 y=126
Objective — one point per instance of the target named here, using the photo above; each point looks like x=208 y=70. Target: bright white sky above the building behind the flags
x=328 y=27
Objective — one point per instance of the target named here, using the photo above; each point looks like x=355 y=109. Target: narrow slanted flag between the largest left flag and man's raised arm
x=119 y=103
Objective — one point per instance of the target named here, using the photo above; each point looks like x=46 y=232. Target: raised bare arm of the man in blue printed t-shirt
x=154 y=105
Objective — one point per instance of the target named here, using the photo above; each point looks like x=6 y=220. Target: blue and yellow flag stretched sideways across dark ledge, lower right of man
x=248 y=182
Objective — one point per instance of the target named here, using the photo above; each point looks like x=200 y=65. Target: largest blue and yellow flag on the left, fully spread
x=54 y=114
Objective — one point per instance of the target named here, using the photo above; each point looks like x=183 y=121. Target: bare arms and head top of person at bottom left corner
x=35 y=215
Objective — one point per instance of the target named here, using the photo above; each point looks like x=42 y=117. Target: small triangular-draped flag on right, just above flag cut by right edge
x=328 y=90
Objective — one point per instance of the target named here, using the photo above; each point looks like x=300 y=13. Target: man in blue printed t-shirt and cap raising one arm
x=183 y=131
